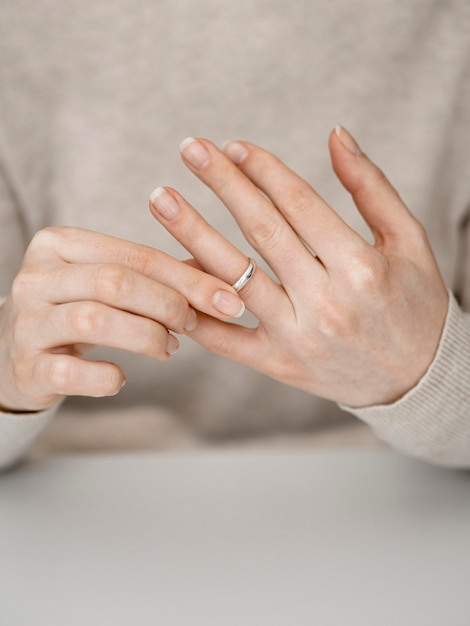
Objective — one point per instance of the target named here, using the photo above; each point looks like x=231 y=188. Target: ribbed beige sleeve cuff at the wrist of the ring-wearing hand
x=432 y=421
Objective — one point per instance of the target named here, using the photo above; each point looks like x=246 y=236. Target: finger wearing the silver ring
x=215 y=254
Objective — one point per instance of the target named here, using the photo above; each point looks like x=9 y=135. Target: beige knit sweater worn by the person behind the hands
x=94 y=100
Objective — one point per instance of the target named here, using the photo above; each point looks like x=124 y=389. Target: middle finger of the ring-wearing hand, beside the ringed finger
x=262 y=224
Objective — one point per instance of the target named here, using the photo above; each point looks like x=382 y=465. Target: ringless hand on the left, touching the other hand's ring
x=77 y=289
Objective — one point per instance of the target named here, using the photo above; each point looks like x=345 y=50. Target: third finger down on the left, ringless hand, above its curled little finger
x=97 y=324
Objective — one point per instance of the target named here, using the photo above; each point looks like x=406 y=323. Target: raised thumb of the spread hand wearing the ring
x=377 y=200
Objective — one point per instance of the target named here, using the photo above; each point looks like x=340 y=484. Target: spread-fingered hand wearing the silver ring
x=352 y=322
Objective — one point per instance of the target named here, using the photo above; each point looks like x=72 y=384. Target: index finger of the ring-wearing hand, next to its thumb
x=309 y=215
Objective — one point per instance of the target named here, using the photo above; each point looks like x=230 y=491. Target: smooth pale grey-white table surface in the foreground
x=235 y=538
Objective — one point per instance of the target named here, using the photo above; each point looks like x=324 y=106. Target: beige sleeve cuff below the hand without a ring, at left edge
x=18 y=431
